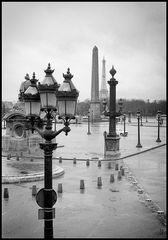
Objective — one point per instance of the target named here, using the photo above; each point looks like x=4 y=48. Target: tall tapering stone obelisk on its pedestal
x=95 y=103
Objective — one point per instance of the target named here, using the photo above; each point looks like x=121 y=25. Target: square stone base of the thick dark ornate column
x=111 y=146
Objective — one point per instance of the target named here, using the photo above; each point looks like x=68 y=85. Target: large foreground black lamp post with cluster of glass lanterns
x=51 y=98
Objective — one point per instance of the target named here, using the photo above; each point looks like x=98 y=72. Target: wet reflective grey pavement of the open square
x=116 y=210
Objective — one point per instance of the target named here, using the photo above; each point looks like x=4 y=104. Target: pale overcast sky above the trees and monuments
x=130 y=35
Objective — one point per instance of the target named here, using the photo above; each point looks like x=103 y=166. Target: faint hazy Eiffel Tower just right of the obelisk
x=103 y=90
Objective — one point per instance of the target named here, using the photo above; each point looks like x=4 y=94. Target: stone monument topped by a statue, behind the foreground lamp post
x=18 y=136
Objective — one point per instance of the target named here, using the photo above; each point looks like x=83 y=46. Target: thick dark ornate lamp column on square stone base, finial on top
x=112 y=139
